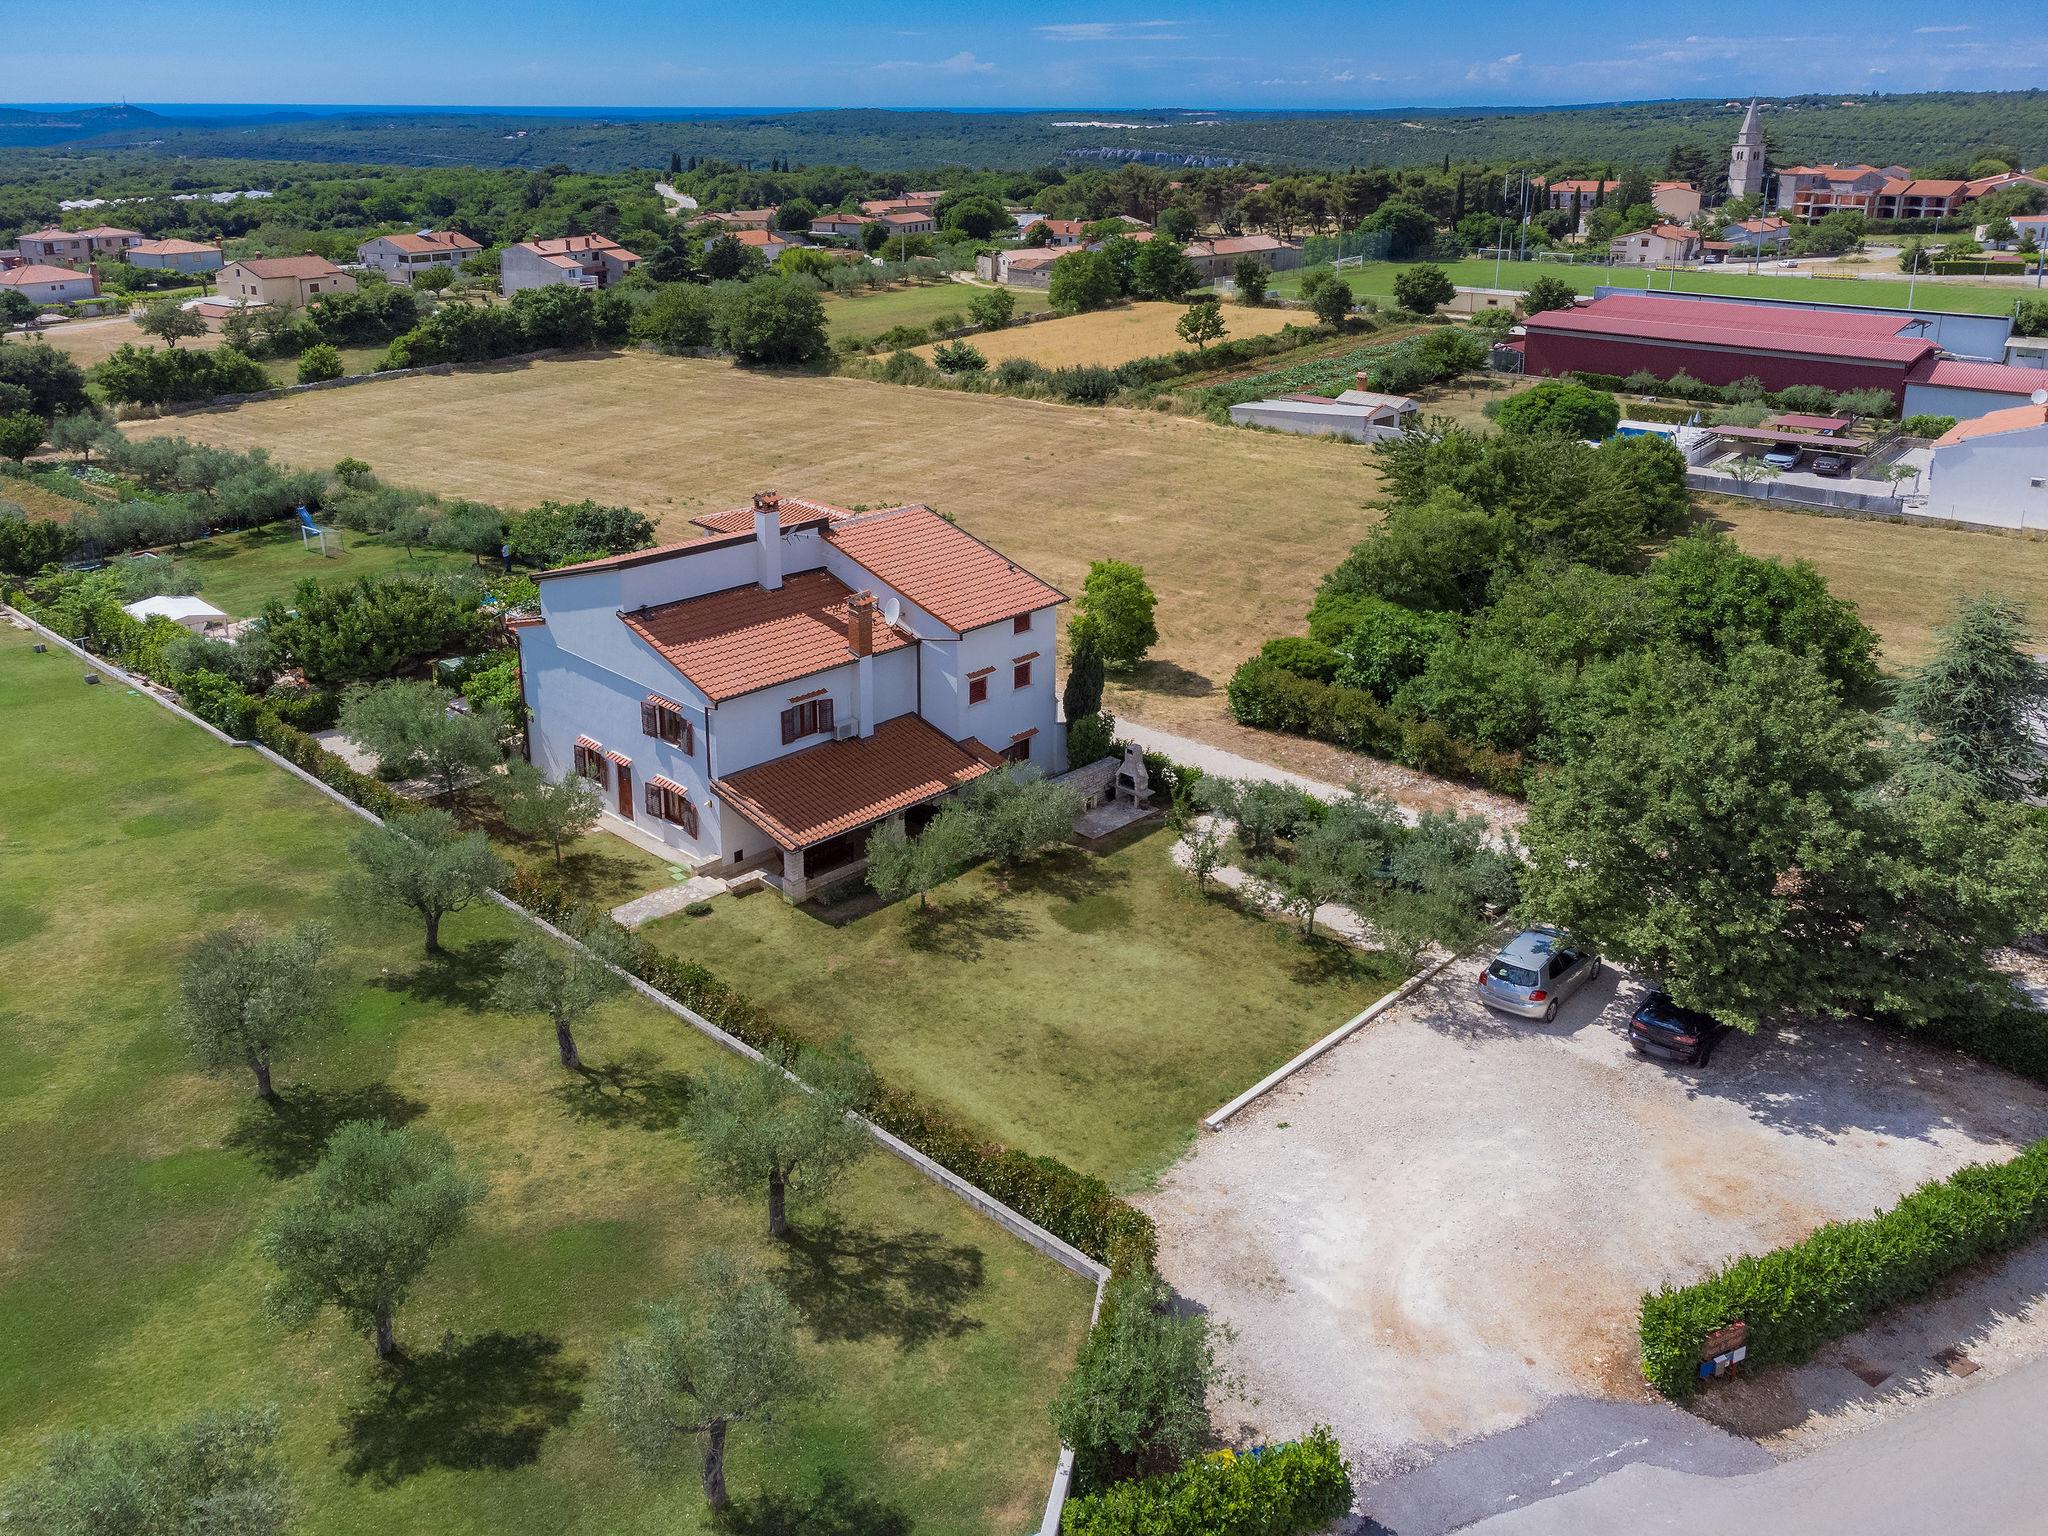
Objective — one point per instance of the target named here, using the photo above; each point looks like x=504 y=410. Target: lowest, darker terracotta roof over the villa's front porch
x=845 y=785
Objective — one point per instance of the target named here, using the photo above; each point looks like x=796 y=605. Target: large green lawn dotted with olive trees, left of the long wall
x=130 y=1281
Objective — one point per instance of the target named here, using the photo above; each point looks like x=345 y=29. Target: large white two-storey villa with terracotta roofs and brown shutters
x=765 y=695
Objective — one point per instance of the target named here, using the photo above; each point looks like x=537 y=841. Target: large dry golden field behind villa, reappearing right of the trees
x=1234 y=529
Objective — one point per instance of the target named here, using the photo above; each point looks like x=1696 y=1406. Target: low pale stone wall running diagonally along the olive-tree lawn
x=988 y=1205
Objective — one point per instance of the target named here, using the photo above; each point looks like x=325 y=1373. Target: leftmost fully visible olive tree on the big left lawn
x=245 y=996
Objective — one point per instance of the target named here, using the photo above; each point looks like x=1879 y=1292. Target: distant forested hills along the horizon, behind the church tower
x=1920 y=132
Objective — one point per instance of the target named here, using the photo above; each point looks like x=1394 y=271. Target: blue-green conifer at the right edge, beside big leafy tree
x=1969 y=712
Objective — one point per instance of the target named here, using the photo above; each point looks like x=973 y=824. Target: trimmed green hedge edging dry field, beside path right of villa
x=1275 y=699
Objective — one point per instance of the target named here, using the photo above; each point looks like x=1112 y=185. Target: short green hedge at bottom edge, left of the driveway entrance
x=1295 y=1488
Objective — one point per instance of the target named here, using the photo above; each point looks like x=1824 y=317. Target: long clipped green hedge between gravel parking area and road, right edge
x=1797 y=1299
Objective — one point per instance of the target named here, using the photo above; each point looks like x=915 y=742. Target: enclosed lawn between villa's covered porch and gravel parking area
x=1095 y=1011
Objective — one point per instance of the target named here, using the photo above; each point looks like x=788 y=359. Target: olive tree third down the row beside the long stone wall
x=761 y=1129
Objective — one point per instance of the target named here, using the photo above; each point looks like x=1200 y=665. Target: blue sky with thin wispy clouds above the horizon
x=1056 y=54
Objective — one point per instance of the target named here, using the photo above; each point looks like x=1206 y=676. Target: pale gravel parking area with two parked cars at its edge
x=1447 y=1222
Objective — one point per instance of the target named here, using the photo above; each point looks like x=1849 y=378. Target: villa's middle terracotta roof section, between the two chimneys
x=749 y=638
